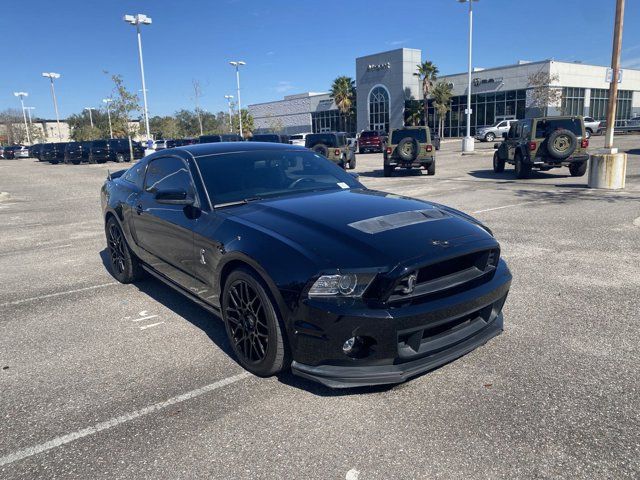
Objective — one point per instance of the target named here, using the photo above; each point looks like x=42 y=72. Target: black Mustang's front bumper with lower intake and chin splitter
x=407 y=340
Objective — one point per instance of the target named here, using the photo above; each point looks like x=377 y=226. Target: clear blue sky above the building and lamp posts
x=289 y=46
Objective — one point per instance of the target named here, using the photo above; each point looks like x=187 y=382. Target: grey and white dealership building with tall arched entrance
x=389 y=95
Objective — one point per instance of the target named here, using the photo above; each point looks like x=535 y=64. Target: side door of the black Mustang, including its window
x=164 y=232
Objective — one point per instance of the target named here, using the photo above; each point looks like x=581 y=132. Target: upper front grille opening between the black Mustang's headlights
x=446 y=277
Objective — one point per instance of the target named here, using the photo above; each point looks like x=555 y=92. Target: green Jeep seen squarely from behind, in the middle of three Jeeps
x=409 y=147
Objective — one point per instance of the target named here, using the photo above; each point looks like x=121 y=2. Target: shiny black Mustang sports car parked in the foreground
x=306 y=266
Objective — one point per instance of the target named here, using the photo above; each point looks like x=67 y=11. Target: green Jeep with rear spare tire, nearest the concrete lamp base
x=544 y=143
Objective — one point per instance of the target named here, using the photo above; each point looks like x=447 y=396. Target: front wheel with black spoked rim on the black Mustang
x=252 y=324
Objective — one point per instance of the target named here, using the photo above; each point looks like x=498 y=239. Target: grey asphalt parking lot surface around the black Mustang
x=102 y=380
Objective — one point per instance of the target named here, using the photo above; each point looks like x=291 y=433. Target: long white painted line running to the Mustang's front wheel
x=114 y=422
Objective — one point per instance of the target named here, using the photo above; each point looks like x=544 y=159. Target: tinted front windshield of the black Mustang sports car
x=245 y=176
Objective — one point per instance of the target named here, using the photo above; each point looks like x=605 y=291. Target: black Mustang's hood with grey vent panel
x=365 y=228
